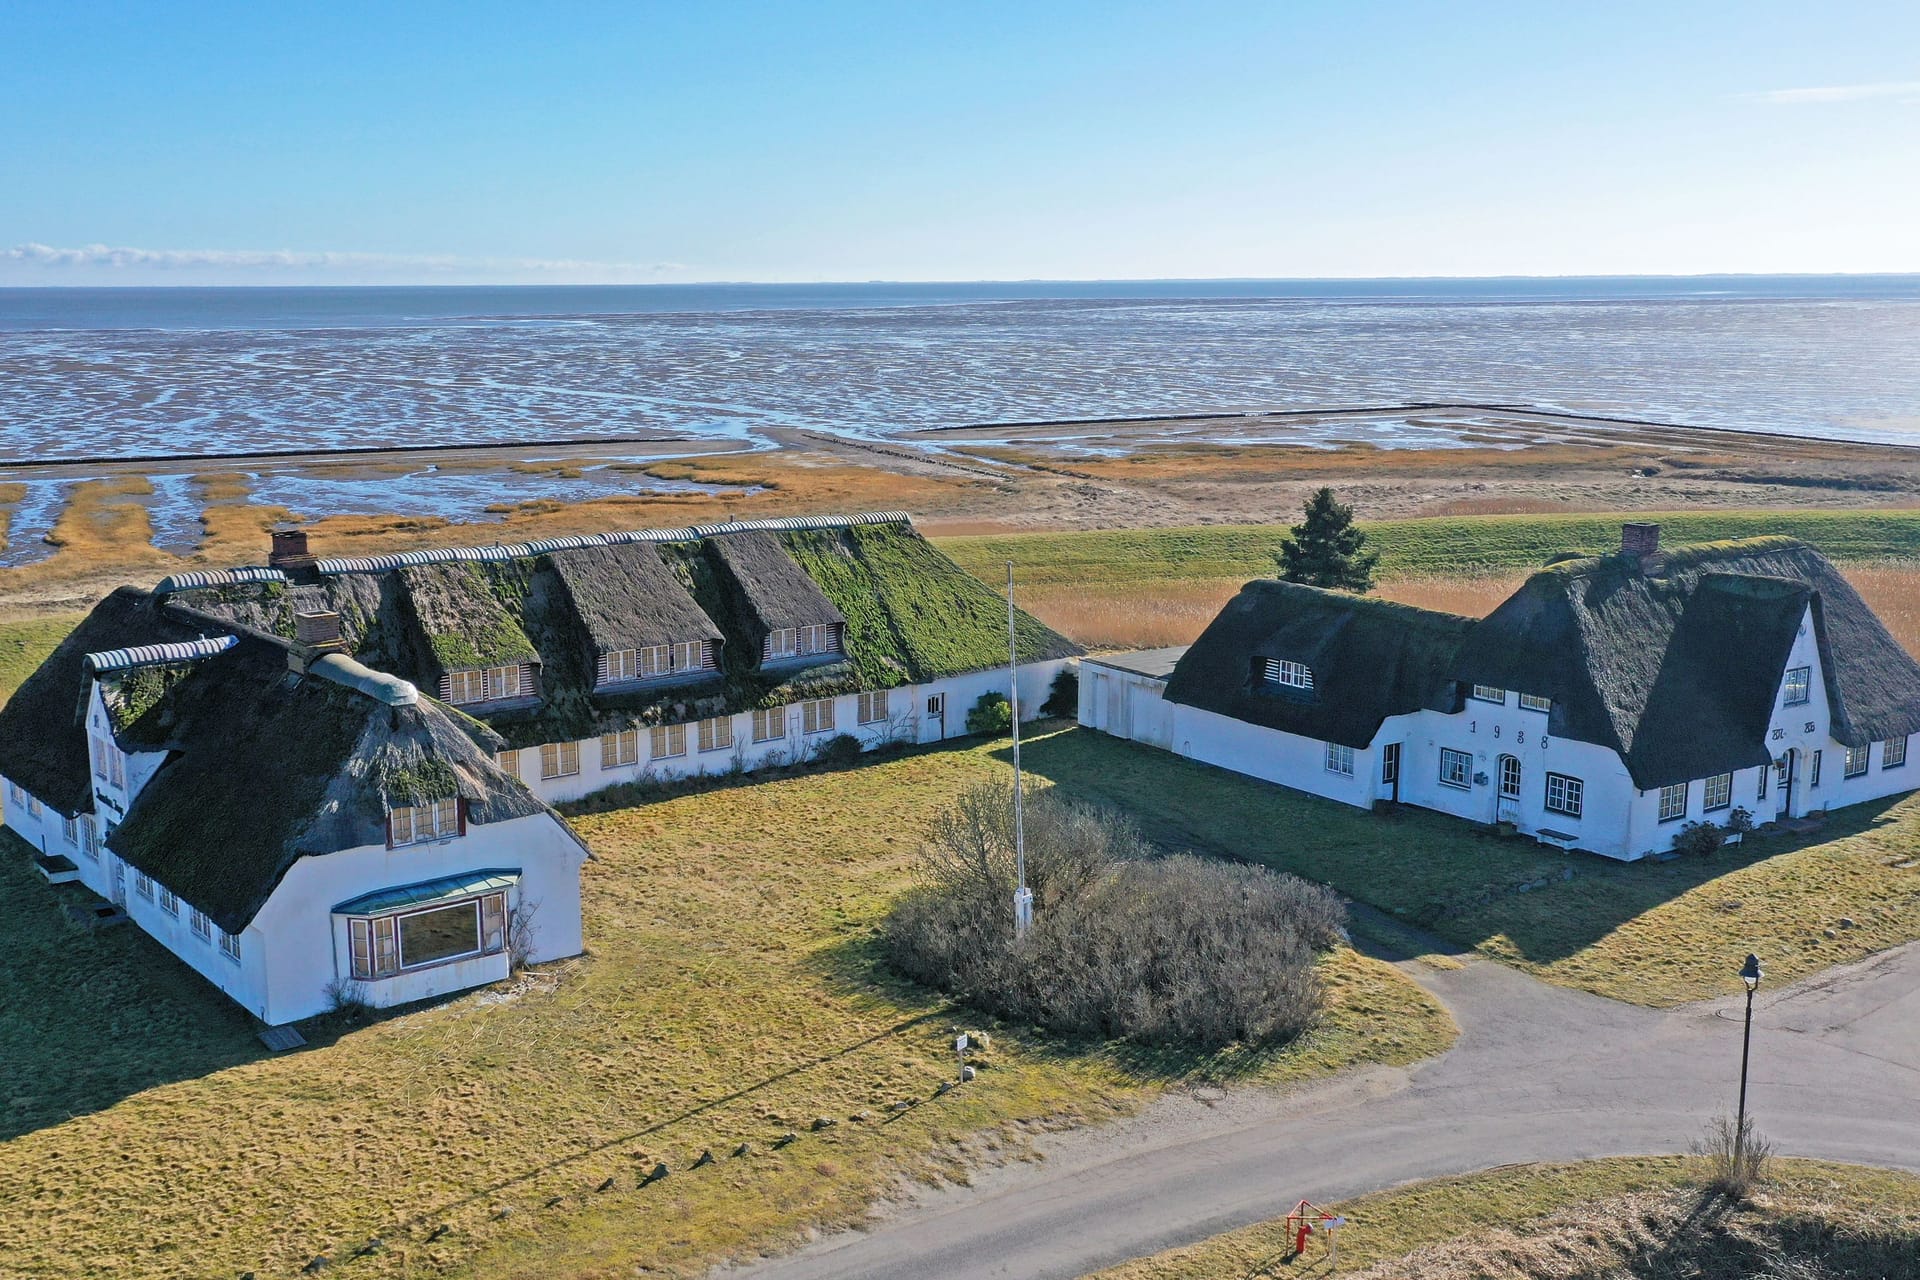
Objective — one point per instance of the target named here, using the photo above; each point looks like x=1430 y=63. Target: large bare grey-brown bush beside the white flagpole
x=1176 y=951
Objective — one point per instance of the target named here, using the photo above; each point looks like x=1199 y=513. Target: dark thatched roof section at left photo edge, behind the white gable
x=43 y=734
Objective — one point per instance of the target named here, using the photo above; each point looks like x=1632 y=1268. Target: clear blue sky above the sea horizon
x=337 y=143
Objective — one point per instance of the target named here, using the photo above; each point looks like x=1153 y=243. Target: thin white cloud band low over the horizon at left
x=103 y=256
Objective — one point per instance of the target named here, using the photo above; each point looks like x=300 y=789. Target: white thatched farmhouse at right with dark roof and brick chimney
x=1602 y=707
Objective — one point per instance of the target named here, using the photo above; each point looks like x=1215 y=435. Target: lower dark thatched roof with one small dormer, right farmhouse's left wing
x=1370 y=661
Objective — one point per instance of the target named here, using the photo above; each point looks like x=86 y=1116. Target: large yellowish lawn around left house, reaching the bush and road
x=731 y=995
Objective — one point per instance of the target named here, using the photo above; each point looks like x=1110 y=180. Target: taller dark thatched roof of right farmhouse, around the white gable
x=1677 y=667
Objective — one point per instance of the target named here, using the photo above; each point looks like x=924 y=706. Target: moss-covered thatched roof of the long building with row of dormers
x=911 y=615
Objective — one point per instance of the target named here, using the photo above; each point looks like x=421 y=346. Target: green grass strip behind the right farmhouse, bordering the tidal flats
x=1408 y=548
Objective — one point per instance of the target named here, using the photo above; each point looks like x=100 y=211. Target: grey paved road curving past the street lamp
x=1539 y=1076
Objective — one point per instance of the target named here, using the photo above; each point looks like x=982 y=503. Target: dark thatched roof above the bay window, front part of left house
x=264 y=772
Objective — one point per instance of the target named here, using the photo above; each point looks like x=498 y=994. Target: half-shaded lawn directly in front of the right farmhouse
x=1654 y=934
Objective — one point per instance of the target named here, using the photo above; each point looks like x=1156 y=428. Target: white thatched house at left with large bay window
x=285 y=820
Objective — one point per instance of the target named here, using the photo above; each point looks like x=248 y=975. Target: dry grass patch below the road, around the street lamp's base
x=1612 y=1218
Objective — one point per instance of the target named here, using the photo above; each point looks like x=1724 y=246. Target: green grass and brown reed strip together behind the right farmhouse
x=1143 y=588
